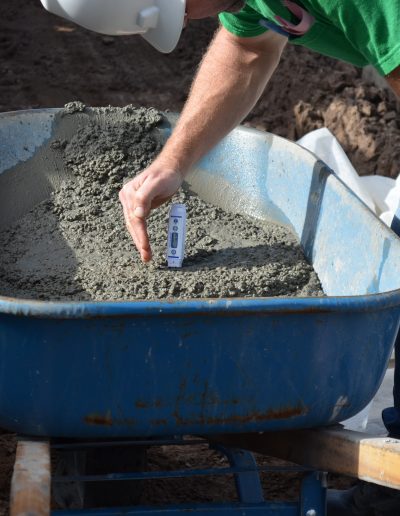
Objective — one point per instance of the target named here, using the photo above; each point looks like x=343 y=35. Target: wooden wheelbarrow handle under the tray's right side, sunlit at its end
x=355 y=454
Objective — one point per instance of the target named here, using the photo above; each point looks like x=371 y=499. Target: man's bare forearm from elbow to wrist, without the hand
x=229 y=82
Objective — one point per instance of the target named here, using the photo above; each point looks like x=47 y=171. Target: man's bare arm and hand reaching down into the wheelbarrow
x=231 y=78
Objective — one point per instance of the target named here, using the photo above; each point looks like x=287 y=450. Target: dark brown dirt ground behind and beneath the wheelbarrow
x=46 y=62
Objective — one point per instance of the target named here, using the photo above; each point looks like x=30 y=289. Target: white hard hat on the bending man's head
x=160 y=22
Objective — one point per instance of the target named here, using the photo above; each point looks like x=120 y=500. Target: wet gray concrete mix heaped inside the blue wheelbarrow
x=74 y=246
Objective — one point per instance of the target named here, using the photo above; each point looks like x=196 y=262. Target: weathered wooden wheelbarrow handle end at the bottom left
x=30 y=485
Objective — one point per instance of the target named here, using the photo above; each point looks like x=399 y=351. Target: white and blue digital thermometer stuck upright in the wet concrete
x=176 y=235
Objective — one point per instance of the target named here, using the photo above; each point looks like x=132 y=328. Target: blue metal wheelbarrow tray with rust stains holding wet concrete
x=148 y=368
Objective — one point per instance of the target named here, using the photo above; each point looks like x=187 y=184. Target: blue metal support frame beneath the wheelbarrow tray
x=312 y=500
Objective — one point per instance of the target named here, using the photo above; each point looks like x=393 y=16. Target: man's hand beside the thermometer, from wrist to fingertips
x=148 y=190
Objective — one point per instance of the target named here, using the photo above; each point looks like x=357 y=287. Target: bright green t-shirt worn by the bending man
x=360 y=32
